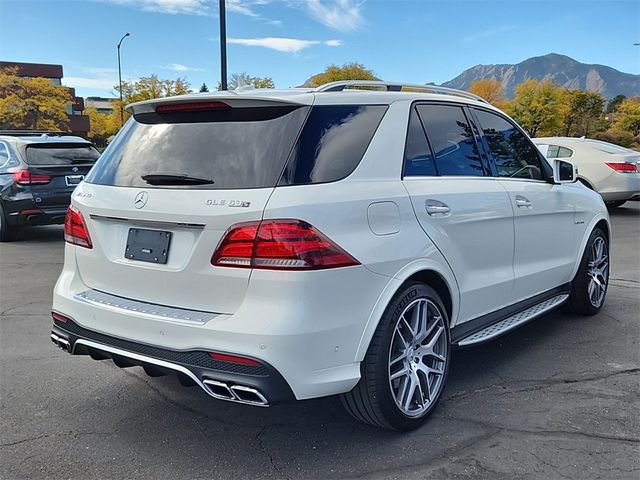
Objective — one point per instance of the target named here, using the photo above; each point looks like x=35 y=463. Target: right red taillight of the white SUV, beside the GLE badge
x=279 y=245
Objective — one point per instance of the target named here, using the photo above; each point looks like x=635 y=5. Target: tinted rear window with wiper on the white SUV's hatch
x=236 y=148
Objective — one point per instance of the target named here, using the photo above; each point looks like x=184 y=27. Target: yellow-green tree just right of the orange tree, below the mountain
x=536 y=106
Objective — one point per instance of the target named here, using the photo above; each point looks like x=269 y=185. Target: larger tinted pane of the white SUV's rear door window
x=451 y=139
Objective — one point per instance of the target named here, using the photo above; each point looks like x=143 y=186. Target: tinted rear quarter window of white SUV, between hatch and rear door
x=332 y=143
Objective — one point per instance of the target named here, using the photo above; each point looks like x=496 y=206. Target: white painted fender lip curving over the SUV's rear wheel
x=392 y=287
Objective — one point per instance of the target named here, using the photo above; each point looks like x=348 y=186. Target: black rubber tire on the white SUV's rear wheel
x=372 y=400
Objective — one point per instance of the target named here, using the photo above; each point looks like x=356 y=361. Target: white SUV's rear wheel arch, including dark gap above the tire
x=437 y=276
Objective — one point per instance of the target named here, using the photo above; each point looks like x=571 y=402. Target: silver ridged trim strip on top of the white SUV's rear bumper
x=155 y=311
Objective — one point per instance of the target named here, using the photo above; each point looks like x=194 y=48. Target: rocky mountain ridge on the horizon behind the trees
x=560 y=69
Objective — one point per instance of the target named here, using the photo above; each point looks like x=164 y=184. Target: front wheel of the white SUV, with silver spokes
x=592 y=279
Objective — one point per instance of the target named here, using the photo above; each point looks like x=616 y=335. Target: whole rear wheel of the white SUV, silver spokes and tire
x=404 y=371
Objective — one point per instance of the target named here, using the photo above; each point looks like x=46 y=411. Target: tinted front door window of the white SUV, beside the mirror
x=514 y=155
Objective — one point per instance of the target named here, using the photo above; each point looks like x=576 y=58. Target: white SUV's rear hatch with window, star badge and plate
x=163 y=194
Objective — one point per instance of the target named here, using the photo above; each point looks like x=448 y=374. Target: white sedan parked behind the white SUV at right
x=609 y=169
